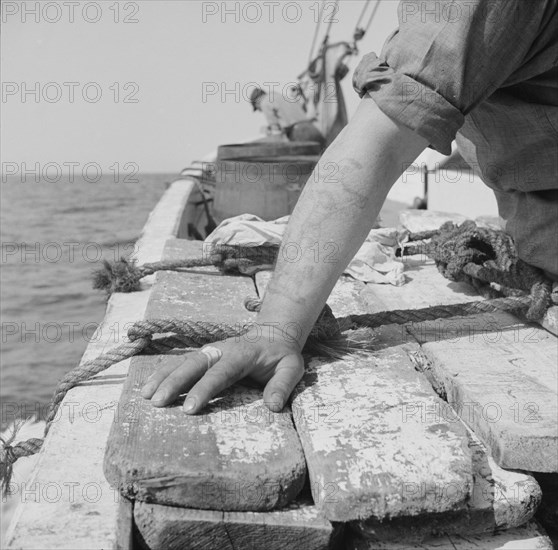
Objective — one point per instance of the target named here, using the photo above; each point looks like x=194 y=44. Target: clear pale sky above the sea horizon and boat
x=154 y=83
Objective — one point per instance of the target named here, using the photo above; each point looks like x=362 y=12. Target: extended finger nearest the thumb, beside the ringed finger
x=222 y=375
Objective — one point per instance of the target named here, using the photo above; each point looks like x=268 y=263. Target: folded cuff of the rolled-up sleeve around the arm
x=409 y=102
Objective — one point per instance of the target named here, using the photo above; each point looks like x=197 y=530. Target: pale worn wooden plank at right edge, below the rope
x=501 y=376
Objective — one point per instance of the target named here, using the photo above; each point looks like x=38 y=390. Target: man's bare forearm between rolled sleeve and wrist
x=334 y=214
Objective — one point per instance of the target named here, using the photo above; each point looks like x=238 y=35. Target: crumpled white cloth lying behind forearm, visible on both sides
x=375 y=262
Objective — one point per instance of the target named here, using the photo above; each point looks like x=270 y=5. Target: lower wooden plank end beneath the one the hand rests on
x=299 y=526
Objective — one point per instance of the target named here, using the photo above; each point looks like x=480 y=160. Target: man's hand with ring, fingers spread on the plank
x=277 y=365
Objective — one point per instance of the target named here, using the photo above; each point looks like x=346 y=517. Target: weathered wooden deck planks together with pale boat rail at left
x=427 y=441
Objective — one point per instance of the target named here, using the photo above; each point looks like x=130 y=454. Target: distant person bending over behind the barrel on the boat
x=287 y=115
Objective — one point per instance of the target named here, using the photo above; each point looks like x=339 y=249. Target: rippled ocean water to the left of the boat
x=53 y=236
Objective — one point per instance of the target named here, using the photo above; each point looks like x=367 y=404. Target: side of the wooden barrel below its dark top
x=266 y=187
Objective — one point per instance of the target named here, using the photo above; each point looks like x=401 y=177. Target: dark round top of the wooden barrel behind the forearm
x=267 y=149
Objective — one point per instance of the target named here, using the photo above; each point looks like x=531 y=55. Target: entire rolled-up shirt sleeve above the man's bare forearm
x=446 y=57
